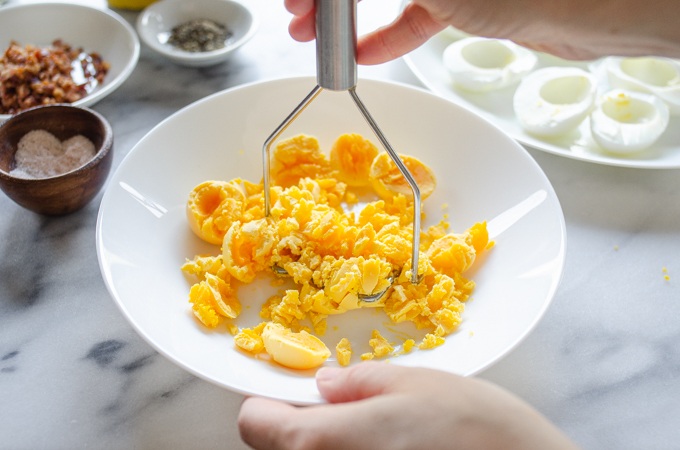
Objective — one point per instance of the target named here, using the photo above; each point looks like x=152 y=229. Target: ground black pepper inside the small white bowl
x=200 y=35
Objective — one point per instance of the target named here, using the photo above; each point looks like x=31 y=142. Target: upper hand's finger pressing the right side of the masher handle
x=410 y=30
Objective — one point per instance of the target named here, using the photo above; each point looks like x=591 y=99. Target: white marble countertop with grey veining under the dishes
x=604 y=364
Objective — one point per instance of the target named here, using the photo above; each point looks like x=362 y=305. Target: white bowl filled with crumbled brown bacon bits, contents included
x=59 y=53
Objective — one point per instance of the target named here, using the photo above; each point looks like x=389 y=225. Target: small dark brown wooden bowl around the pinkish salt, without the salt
x=69 y=192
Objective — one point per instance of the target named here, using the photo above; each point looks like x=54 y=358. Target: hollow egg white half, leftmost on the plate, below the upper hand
x=479 y=64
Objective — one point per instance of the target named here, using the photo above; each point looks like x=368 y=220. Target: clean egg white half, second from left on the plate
x=554 y=100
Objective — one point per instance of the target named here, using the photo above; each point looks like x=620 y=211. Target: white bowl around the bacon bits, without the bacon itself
x=95 y=30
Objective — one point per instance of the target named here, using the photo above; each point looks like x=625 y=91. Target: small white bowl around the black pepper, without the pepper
x=157 y=21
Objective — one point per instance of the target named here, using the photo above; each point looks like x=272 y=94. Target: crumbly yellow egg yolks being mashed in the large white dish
x=333 y=255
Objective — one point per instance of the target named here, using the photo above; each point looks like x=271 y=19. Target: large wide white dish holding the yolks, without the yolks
x=143 y=237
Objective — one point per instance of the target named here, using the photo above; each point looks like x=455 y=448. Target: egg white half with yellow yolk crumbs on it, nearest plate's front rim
x=628 y=121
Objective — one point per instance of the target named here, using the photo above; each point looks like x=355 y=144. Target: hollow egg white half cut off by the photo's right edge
x=654 y=75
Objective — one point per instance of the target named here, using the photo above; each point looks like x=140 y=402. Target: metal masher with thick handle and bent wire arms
x=336 y=70
